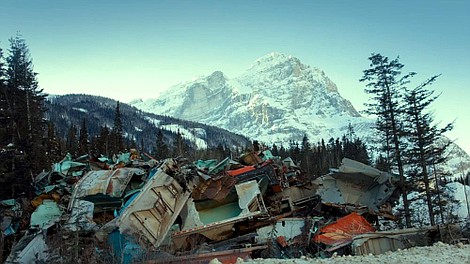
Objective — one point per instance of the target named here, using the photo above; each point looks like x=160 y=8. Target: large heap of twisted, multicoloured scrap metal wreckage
x=175 y=211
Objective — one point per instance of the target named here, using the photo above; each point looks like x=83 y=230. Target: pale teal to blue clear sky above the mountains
x=137 y=49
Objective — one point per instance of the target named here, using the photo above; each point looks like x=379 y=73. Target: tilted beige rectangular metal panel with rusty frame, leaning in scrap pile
x=152 y=213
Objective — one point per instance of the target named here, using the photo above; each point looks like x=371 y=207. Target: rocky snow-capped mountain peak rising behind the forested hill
x=277 y=100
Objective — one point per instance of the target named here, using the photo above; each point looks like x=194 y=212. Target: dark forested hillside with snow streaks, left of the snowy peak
x=139 y=129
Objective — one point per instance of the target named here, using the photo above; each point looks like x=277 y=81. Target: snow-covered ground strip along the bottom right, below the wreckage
x=438 y=253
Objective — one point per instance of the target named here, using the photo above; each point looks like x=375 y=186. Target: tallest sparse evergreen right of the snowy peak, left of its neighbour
x=385 y=84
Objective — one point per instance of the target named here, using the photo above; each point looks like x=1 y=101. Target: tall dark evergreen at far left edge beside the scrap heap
x=24 y=102
